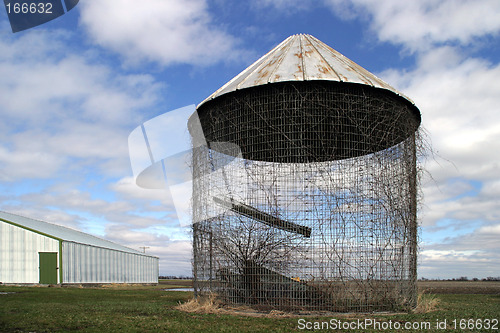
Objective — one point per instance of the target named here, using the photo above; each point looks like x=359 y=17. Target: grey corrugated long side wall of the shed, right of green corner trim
x=88 y=264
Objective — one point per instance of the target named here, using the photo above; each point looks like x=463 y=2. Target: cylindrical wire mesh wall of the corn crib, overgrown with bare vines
x=318 y=210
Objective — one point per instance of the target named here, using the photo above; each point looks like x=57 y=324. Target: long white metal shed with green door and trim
x=33 y=251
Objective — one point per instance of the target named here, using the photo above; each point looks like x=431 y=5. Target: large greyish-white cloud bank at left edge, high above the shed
x=61 y=111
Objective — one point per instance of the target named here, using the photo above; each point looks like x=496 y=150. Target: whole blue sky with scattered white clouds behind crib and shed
x=72 y=90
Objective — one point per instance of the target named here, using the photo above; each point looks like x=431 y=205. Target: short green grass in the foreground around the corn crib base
x=149 y=309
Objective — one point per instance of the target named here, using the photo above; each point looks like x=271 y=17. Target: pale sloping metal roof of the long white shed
x=62 y=233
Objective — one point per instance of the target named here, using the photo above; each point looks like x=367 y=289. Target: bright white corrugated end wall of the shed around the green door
x=19 y=253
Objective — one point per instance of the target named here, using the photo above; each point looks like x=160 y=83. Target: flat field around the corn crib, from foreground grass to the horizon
x=119 y=308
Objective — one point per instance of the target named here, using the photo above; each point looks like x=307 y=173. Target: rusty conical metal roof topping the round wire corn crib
x=302 y=58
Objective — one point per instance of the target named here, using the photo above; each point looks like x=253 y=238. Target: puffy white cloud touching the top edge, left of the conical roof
x=162 y=31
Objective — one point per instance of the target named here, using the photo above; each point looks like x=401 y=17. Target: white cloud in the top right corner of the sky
x=419 y=24
